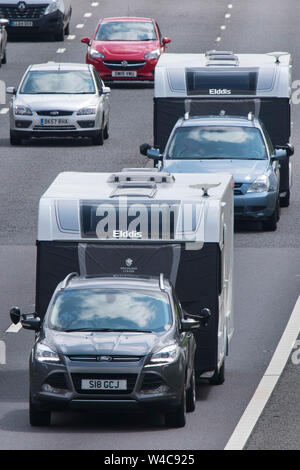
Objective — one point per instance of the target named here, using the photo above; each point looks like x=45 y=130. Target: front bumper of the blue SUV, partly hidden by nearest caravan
x=255 y=206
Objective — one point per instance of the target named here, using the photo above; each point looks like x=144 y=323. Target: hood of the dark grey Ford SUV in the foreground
x=106 y=343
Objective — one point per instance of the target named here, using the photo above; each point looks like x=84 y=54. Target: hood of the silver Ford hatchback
x=62 y=102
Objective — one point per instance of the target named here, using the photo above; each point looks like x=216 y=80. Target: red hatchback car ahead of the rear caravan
x=125 y=48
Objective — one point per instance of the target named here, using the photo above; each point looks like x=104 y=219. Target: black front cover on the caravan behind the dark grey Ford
x=195 y=275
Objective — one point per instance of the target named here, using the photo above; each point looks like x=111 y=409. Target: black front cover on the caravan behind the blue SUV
x=273 y=112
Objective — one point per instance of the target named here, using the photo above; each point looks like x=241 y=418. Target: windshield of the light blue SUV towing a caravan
x=217 y=142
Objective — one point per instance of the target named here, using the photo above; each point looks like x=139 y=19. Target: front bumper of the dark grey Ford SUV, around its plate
x=148 y=388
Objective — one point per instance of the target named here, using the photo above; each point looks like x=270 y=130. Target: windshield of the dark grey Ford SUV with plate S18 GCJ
x=116 y=310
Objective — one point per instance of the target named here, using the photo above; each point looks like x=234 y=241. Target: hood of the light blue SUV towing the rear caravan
x=243 y=171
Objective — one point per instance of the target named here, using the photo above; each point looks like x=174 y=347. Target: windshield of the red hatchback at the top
x=126 y=31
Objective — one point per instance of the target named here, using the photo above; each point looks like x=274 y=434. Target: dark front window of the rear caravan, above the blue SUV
x=221 y=82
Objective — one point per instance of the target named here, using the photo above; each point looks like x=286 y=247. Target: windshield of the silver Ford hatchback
x=58 y=82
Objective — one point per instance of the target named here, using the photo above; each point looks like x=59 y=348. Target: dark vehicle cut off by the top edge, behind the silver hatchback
x=51 y=17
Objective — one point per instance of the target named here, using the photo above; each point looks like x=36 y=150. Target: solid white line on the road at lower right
x=267 y=384
